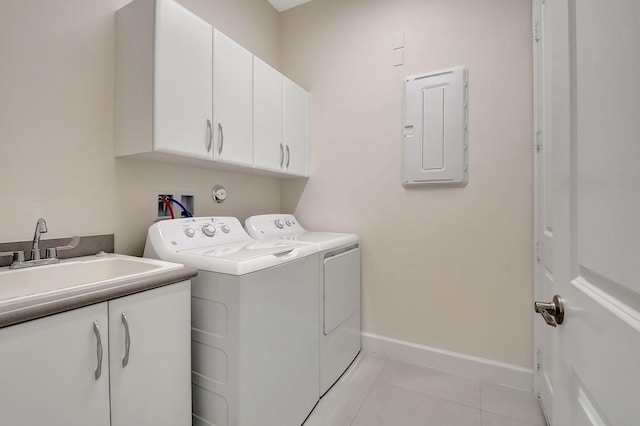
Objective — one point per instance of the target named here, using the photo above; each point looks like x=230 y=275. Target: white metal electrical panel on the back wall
x=434 y=125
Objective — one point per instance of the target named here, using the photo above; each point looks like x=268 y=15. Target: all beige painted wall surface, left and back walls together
x=449 y=268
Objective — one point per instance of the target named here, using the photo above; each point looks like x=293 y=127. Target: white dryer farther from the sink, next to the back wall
x=339 y=278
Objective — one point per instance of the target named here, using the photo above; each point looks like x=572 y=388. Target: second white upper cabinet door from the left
x=232 y=101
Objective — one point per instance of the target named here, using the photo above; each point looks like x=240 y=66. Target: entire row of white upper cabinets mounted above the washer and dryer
x=186 y=92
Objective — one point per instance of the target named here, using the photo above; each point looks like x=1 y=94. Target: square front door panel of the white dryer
x=341 y=286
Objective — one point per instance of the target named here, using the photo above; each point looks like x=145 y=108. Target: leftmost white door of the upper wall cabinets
x=183 y=69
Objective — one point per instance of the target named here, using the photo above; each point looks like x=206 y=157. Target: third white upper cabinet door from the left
x=268 y=144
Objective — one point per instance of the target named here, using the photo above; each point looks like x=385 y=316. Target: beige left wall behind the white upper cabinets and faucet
x=56 y=124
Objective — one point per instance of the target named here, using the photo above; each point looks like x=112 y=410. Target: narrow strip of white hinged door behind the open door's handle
x=544 y=285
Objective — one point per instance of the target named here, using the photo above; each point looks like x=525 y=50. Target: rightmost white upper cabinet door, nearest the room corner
x=295 y=128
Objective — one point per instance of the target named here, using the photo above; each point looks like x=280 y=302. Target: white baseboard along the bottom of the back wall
x=482 y=369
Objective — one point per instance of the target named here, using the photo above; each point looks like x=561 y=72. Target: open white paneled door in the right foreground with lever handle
x=596 y=206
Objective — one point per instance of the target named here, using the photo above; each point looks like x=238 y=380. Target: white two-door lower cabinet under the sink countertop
x=118 y=363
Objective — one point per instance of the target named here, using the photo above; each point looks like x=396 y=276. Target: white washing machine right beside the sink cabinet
x=255 y=321
